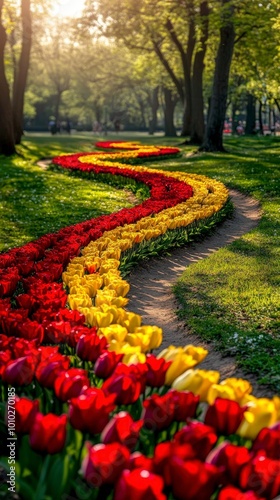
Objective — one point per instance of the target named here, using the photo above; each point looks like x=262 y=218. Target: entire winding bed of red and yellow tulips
x=97 y=415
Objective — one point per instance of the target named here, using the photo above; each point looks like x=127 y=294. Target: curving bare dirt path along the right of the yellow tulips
x=151 y=294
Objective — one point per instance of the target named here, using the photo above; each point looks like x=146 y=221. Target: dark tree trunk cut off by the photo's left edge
x=7 y=143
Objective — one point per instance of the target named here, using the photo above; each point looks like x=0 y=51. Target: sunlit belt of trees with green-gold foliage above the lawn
x=138 y=62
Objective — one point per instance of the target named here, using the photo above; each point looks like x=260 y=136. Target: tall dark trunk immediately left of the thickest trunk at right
x=197 y=116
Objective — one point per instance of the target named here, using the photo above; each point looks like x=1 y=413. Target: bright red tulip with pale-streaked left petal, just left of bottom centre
x=122 y=429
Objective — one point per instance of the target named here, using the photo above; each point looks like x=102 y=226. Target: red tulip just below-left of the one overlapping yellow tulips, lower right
x=200 y=436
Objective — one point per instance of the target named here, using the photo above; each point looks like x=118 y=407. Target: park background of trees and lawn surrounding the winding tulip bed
x=182 y=73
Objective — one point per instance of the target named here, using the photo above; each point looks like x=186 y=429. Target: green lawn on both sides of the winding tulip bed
x=232 y=297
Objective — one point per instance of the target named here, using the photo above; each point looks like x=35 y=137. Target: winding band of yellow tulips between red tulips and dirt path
x=101 y=297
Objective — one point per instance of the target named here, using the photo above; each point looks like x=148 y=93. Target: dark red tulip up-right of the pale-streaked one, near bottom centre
x=158 y=411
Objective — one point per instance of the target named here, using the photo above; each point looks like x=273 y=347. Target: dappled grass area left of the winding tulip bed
x=35 y=201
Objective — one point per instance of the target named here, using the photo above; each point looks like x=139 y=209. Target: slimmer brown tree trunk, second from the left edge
x=21 y=73
